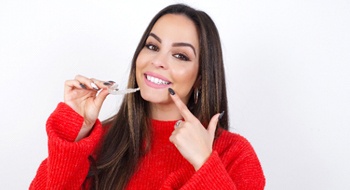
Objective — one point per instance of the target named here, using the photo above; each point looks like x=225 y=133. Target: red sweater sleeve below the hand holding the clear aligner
x=67 y=164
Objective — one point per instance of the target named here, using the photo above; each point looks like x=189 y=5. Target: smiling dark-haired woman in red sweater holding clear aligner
x=163 y=137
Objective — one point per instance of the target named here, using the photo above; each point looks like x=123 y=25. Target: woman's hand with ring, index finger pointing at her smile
x=191 y=138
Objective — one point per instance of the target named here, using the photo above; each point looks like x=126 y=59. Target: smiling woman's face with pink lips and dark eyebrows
x=168 y=59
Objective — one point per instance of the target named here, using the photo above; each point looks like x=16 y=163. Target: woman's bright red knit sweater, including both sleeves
x=233 y=163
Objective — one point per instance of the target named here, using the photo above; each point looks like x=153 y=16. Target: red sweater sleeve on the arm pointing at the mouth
x=235 y=168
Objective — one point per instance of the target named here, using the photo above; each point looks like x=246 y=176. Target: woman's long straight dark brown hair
x=128 y=134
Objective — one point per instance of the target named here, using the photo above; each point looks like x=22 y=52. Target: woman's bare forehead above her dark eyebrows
x=176 y=27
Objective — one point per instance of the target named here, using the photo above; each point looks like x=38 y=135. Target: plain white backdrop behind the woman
x=287 y=67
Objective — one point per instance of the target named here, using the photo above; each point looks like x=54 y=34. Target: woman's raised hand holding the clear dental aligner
x=85 y=96
